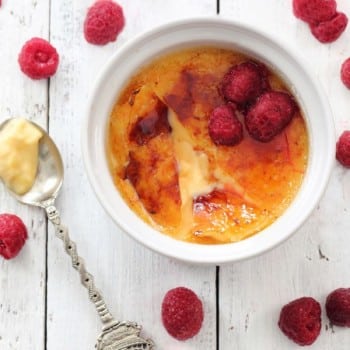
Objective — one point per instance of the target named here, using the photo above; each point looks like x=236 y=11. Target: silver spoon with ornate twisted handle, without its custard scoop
x=115 y=335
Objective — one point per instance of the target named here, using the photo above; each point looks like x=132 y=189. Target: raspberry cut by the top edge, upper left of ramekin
x=103 y=23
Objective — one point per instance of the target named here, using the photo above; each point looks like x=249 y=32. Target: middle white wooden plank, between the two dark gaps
x=132 y=278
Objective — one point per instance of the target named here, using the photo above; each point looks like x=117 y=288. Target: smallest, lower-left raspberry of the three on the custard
x=224 y=127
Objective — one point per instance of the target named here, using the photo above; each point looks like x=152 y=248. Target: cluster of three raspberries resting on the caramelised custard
x=245 y=88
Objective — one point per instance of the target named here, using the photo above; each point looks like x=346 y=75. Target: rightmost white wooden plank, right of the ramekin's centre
x=316 y=260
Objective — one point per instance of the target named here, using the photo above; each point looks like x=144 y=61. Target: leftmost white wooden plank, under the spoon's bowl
x=22 y=281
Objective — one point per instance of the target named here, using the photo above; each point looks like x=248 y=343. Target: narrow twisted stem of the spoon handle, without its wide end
x=86 y=278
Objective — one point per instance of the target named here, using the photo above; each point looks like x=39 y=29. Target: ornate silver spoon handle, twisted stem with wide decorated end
x=115 y=335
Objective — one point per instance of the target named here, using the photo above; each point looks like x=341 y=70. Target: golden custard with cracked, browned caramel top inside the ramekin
x=174 y=177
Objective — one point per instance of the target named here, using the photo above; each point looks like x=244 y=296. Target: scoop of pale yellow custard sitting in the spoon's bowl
x=19 y=147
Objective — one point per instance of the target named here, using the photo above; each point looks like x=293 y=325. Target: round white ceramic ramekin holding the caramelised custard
x=227 y=34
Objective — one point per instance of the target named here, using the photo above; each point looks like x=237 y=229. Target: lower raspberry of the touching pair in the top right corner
x=330 y=30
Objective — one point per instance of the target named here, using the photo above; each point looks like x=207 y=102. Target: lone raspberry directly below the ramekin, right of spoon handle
x=182 y=313
